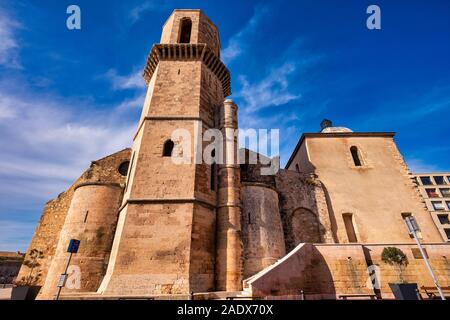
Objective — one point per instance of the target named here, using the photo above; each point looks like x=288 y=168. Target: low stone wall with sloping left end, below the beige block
x=327 y=271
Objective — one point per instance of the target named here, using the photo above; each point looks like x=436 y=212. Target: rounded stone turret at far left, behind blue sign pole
x=92 y=219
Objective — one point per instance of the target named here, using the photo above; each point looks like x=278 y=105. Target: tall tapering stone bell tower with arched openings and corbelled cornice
x=165 y=242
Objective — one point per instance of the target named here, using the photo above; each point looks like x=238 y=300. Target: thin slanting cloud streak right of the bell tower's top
x=236 y=44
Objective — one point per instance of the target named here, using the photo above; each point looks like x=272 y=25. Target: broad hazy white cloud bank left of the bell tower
x=51 y=140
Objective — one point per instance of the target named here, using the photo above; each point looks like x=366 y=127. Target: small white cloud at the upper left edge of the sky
x=9 y=45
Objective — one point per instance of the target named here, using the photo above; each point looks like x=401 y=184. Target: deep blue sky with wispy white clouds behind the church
x=69 y=97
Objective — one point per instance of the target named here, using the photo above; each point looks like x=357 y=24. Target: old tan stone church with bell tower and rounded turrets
x=152 y=228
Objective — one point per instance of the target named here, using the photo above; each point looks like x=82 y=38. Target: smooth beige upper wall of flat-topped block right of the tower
x=374 y=195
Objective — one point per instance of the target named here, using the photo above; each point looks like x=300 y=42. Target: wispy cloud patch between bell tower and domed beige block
x=284 y=83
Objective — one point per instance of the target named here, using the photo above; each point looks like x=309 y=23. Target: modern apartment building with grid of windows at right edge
x=435 y=188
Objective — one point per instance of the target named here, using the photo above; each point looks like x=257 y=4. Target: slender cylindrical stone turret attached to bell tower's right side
x=229 y=237
